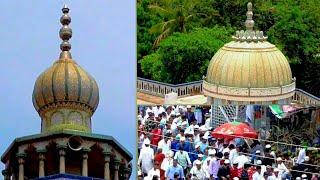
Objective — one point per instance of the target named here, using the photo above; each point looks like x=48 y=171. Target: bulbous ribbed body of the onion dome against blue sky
x=65 y=82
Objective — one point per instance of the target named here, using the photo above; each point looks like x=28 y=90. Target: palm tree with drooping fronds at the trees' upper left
x=176 y=14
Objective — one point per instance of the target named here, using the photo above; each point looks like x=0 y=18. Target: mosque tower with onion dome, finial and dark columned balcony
x=66 y=96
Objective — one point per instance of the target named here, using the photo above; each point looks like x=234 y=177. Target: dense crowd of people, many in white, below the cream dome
x=175 y=142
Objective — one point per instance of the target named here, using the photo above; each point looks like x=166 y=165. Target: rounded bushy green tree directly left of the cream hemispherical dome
x=184 y=57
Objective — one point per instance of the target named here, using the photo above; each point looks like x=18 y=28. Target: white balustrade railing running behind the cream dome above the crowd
x=160 y=89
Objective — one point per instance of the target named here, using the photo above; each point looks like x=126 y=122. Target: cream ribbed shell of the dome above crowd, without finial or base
x=249 y=64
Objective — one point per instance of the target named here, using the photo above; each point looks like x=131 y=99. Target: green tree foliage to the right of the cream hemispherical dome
x=297 y=33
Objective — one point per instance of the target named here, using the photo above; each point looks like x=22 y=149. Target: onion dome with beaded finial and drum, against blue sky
x=65 y=95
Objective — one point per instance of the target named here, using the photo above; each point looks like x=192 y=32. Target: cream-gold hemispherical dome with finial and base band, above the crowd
x=249 y=69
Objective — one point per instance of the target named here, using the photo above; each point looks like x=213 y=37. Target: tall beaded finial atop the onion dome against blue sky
x=65 y=33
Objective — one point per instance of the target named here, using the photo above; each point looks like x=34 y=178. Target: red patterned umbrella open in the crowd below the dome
x=234 y=129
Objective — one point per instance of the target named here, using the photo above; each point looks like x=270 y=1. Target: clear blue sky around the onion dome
x=103 y=43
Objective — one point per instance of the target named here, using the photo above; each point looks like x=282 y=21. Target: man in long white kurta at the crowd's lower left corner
x=146 y=158
